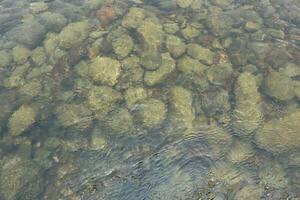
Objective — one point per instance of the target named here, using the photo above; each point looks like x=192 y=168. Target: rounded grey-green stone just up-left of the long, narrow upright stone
x=219 y=74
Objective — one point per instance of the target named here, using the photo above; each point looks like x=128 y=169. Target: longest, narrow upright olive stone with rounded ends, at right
x=247 y=115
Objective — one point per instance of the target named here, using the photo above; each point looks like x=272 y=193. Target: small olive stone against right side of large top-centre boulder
x=175 y=46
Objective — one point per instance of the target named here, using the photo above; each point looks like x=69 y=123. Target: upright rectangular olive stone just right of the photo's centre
x=181 y=108
